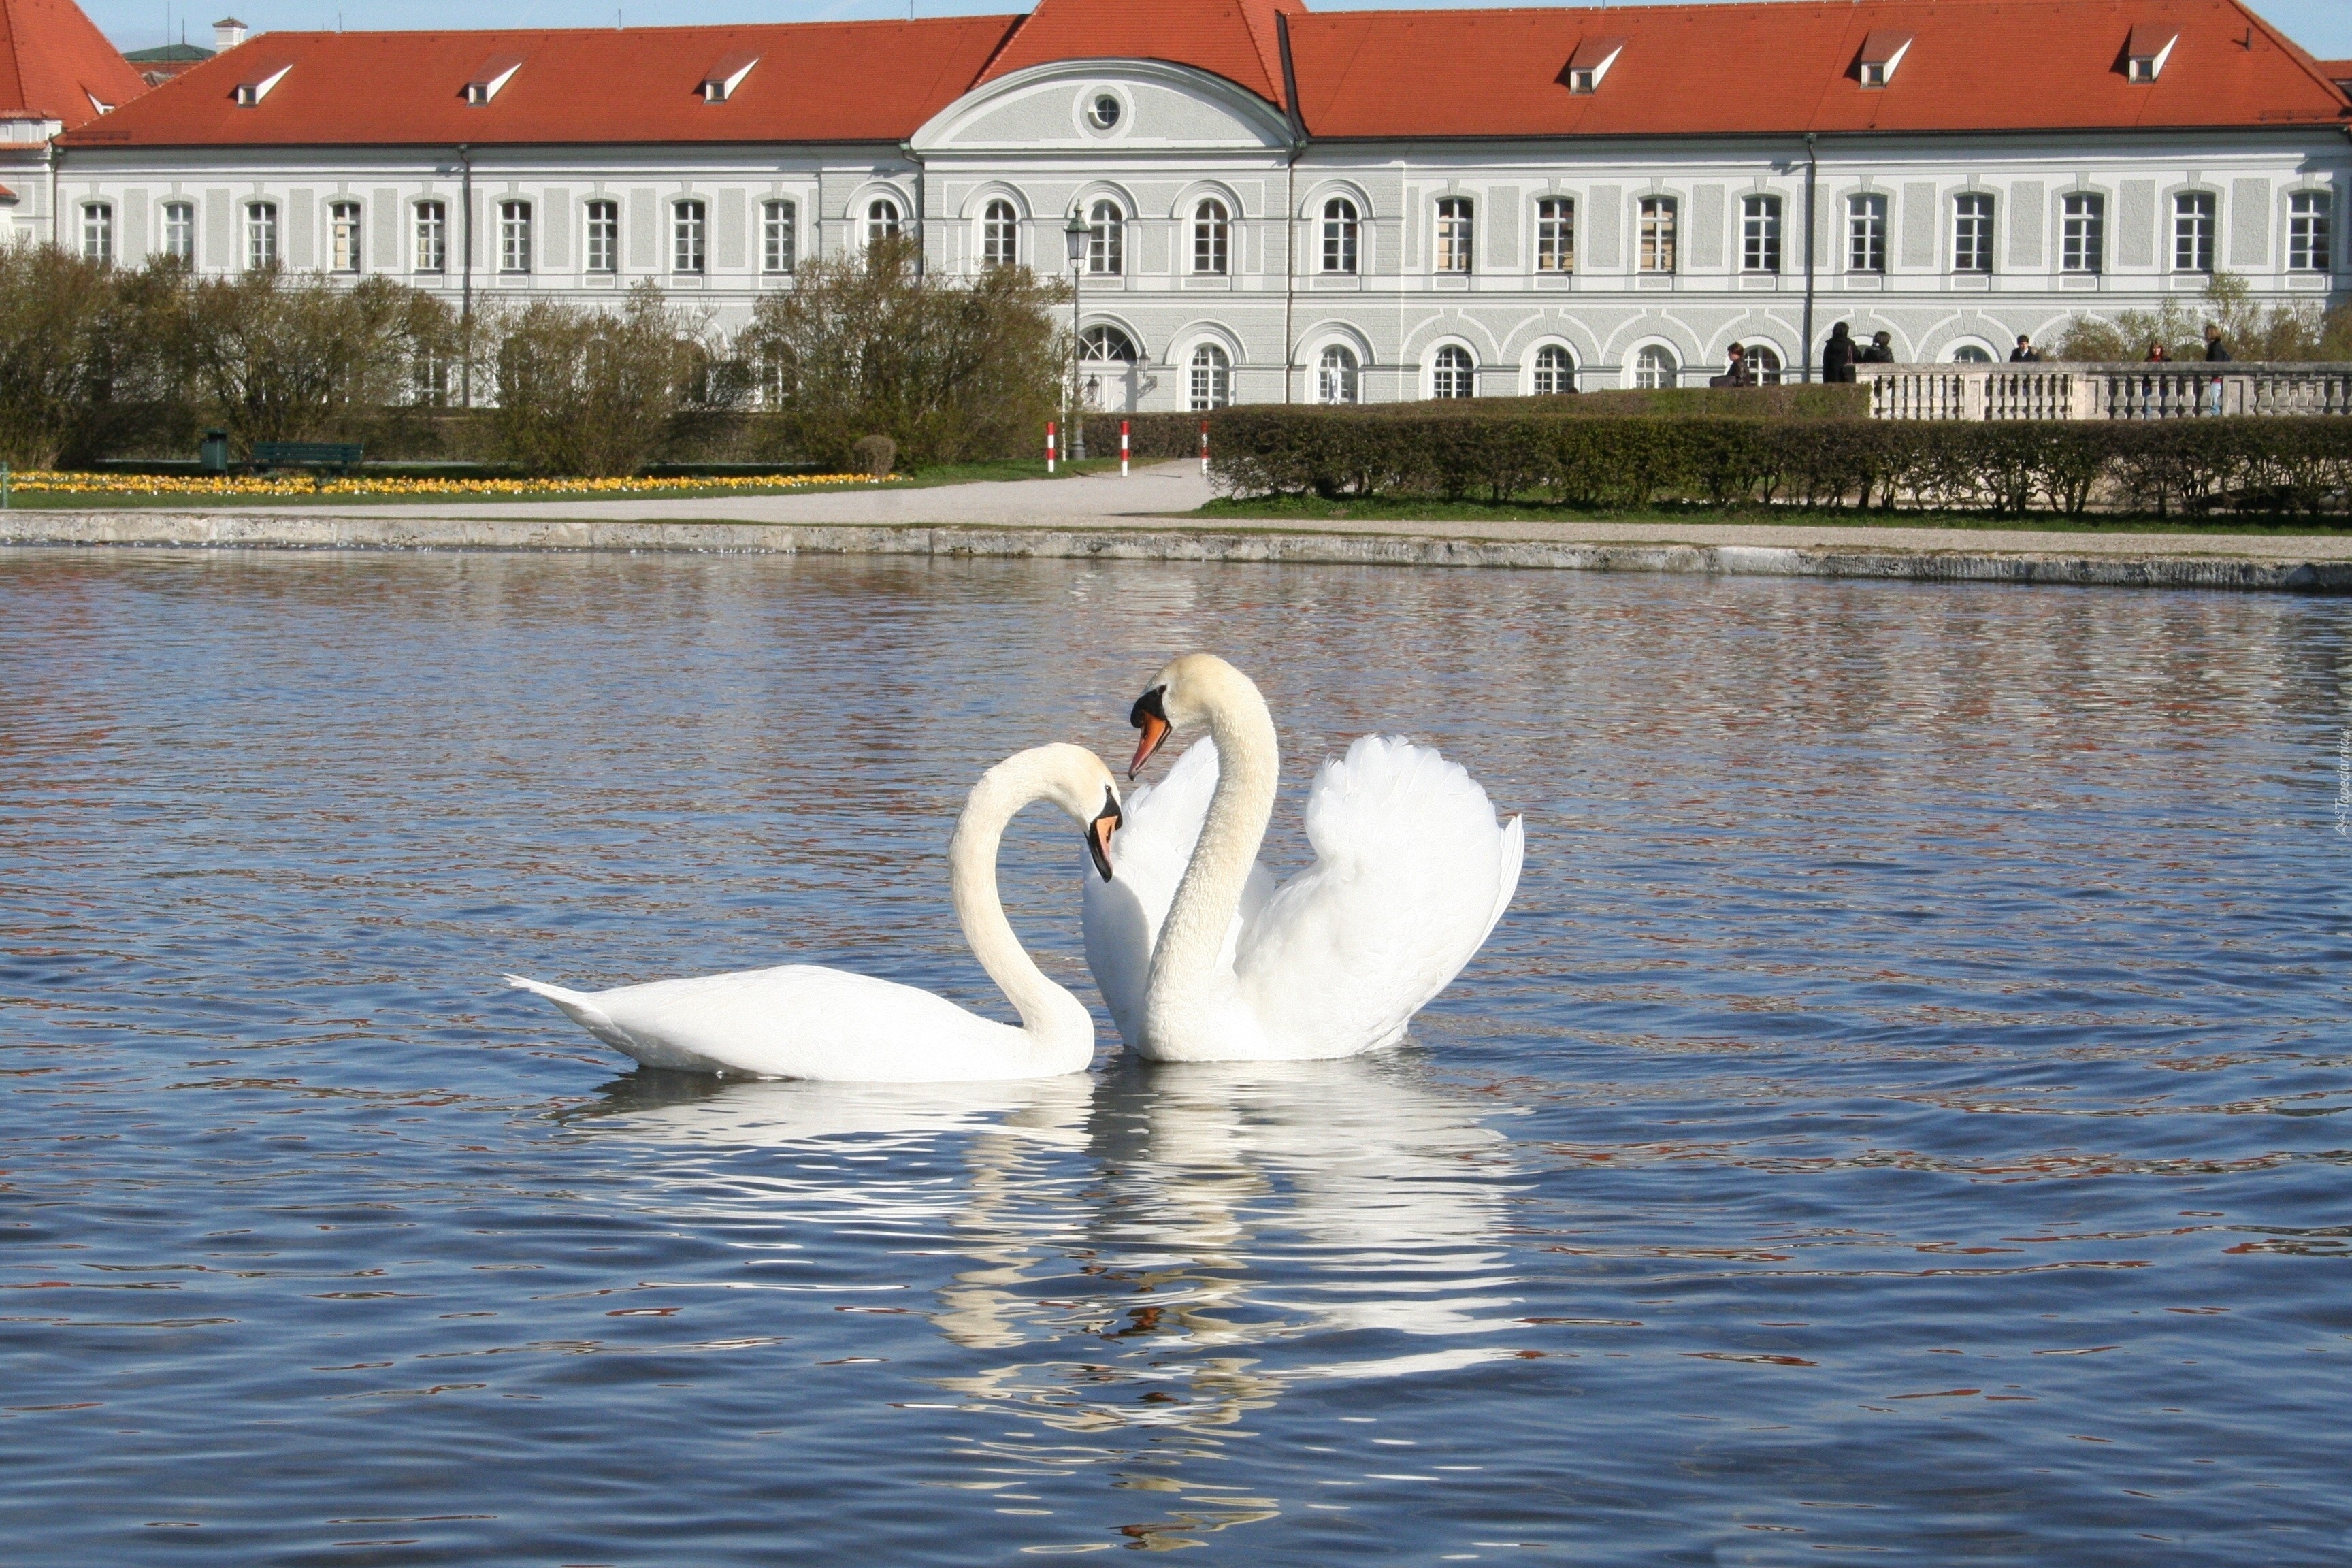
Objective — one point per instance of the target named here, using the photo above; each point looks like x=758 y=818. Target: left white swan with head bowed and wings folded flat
x=803 y=1021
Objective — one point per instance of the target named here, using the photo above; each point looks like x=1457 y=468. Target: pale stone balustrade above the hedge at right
x=2104 y=391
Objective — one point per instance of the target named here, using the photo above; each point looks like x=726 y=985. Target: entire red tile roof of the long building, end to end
x=1688 y=69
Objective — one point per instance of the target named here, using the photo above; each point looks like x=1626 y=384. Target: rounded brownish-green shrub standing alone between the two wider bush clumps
x=596 y=394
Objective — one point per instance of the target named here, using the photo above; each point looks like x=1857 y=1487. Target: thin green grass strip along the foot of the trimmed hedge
x=1405 y=511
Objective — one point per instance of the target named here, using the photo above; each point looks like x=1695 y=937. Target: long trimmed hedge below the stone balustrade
x=1530 y=448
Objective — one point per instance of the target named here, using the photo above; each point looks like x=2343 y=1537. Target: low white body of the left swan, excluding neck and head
x=799 y=1021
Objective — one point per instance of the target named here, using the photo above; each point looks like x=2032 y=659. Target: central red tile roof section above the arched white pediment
x=1231 y=39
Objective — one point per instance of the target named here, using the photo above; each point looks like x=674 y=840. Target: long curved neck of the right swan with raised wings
x=1194 y=937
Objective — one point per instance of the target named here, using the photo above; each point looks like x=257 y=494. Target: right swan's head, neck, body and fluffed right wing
x=1410 y=878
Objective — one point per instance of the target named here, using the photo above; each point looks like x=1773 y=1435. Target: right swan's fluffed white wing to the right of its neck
x=1412 y=873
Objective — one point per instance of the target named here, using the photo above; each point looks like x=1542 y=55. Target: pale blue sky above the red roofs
x=2323 y=27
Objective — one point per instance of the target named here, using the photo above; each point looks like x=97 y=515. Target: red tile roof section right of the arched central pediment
x=1728 y=69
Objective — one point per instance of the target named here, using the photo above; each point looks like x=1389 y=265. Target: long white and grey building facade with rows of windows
x=1238 y=255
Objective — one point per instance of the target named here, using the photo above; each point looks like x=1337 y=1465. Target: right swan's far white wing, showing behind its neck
x=1149 y=857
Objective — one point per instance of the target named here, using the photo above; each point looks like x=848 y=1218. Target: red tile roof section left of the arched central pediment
x=820 y=81
